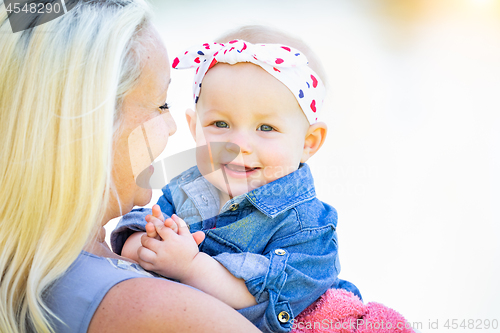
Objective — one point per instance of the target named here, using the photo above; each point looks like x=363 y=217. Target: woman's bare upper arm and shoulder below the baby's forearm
x=154 y=305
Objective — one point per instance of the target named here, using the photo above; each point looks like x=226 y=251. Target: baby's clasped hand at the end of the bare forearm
x=173 y=254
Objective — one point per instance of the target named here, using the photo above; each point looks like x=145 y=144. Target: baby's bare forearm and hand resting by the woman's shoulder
x=177 y=256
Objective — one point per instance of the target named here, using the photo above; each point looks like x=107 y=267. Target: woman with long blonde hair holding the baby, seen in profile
x=74 y=94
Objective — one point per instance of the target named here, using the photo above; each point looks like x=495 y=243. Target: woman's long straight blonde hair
x=61 y=86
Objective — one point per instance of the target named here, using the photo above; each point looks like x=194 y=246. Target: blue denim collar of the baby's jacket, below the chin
x=271 y=199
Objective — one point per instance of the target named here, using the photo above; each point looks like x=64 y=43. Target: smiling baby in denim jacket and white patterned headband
x=267 y=245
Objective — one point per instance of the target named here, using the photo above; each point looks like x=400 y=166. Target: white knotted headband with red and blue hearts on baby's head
x=286 y=64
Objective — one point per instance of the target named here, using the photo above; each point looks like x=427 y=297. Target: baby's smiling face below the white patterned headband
x=243 y=106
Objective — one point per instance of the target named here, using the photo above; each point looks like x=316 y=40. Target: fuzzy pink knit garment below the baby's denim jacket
x=340 y=311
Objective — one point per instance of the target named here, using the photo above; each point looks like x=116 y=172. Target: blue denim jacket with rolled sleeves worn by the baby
x=279 y=238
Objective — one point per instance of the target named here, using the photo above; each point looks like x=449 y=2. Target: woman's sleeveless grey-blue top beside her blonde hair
x=76 y=295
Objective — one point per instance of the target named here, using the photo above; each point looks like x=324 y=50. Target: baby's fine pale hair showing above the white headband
x=256 y=34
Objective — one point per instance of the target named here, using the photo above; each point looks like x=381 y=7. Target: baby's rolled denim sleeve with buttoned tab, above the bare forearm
x=293 y=271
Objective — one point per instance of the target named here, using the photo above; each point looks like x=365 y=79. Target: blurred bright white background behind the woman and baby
x=412 y=157
